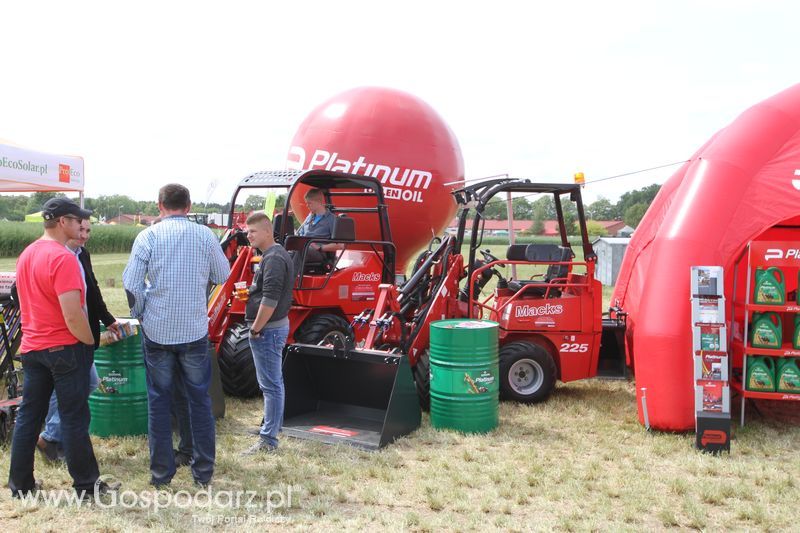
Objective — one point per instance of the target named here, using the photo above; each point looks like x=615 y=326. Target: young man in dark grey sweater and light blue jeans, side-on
x=266 y=312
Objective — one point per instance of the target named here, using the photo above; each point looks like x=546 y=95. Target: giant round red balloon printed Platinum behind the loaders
x=397 y=138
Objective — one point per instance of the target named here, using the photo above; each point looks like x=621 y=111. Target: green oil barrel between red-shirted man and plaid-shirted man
x=119 y=404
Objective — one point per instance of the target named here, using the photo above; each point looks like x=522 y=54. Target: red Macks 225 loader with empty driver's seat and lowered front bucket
x=358 y=388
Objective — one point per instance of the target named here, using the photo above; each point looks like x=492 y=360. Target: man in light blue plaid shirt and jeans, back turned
x=178 y=258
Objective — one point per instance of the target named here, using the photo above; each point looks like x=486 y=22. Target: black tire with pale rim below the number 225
x=527 y=372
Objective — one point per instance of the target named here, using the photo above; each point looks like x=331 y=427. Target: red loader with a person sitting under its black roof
x=327 y=294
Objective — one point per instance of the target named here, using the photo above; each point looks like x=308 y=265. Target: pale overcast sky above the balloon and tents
x=195 y=92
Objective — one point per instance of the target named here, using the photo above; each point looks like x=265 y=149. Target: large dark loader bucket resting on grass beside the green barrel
x=363 y=398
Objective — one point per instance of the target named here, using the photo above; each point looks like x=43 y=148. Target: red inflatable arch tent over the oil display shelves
x=742 y=185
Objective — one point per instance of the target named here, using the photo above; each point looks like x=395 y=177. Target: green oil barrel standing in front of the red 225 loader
x=464 y=375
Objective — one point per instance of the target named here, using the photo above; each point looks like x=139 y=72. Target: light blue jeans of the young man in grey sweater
x=267 y=355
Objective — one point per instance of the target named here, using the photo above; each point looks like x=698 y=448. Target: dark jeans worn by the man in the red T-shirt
x=65 y=368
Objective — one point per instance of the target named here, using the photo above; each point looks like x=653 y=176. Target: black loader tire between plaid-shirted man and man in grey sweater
x=236 y=367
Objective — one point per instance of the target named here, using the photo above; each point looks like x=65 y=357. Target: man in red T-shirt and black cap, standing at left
x=57 y=351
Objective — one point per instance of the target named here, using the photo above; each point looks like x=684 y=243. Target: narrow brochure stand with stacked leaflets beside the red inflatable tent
x=711 y=363
